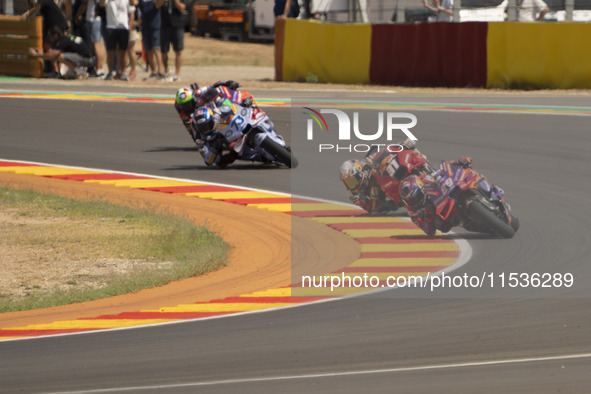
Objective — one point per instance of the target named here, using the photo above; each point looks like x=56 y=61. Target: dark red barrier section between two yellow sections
x=429 y=54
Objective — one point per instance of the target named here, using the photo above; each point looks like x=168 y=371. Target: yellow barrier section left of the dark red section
x=337 y=53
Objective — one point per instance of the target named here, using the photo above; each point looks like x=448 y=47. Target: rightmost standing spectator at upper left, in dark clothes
x=173 y=30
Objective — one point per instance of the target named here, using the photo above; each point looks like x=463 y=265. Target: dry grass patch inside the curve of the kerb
x=56 y=250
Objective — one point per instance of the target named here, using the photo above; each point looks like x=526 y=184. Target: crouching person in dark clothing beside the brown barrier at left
x=68 y=50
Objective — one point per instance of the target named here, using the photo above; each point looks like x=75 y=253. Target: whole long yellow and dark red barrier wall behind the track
x=440 y=54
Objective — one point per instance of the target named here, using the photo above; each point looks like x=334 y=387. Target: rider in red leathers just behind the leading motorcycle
x=370 y=182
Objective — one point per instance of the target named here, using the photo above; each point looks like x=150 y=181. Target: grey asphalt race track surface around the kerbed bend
x=487 y=340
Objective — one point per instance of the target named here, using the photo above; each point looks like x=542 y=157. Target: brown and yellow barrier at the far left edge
x=16 y=37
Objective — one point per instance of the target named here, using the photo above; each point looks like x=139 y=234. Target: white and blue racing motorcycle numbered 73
x=249 y=131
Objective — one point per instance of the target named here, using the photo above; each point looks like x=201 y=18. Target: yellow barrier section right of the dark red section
x=538 y=55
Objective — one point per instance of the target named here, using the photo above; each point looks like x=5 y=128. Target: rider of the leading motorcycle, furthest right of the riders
x=414 y=192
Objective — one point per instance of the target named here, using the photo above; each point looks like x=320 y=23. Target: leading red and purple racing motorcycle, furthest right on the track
x=465 y=197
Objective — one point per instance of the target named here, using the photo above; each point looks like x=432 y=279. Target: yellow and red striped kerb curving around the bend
x=389 y=246
